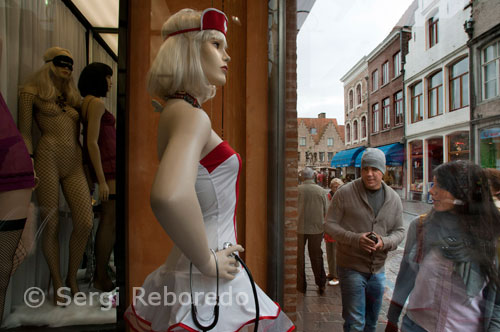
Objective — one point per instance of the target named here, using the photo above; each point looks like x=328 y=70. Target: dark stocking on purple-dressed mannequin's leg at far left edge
x=9 y=241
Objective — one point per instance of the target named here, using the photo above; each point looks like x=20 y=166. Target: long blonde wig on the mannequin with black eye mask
x=43 y=79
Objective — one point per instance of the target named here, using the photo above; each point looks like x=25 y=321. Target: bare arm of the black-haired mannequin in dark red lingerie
x=95 y=111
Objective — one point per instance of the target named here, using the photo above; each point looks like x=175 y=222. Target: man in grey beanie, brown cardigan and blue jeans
x=366 y=220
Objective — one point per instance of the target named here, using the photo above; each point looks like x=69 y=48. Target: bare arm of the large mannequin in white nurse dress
x=173 y=195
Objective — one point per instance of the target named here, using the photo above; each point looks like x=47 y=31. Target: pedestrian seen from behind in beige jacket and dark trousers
x=312 y=211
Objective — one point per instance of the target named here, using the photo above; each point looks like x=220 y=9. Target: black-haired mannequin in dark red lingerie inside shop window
x=99 y=135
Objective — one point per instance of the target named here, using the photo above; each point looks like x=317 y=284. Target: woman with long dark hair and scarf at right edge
x=449 y=271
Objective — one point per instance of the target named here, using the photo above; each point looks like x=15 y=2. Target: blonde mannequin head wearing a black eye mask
x=55 y=76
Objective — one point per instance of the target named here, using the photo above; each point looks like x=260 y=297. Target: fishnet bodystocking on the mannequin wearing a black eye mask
x=58 y=160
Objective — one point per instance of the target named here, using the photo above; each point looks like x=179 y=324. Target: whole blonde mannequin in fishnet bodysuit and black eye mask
x=50 y=96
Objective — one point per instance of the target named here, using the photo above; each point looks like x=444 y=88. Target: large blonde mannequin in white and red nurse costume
x=195 y=188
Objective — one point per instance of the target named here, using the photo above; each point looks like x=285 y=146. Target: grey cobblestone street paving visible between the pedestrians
x=317 y=313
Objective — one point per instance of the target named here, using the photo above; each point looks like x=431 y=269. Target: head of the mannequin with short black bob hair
x=95 y=80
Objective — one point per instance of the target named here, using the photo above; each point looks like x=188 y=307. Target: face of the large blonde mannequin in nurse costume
x=214 y=59
